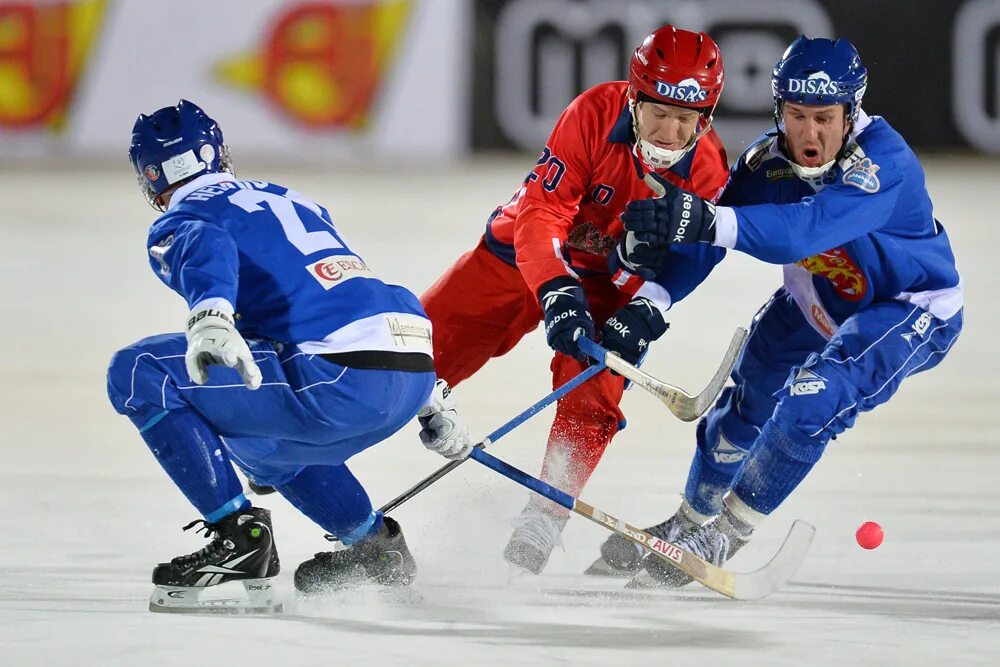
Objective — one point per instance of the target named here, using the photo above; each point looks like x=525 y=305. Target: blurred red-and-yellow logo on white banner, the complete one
x=321 y=63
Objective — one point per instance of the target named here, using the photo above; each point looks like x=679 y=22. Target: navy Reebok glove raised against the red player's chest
x=677 y=217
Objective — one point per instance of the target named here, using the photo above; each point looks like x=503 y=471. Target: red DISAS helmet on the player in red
x=678 y=67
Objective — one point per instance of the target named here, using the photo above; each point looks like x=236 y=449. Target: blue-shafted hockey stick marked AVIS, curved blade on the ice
x=737 y=585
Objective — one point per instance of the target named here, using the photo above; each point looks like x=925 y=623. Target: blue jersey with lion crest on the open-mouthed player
x=863 y=232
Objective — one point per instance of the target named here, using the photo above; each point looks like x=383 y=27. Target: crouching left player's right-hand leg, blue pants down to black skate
x=374 y=405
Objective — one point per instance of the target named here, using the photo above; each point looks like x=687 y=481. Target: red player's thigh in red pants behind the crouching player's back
x=480 y=308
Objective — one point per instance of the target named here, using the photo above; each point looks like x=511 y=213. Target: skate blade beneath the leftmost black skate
x=258 y=597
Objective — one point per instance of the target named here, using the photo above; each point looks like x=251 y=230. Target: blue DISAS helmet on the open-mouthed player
x=819 y=71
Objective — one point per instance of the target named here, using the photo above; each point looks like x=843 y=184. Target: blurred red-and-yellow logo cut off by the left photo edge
x=43 y=48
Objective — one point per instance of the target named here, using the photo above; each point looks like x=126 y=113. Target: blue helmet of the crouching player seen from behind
x=174 y=144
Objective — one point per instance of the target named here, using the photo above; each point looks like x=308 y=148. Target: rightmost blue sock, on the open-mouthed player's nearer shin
x=774 y=467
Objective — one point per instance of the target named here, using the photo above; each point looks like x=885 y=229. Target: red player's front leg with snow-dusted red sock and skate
x=586 y=420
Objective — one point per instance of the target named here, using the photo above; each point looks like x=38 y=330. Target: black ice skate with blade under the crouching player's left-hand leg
x=242 y=550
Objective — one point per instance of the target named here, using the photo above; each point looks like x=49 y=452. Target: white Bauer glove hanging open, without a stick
x=212 y=339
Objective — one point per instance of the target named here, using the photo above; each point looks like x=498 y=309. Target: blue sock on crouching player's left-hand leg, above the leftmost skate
x=191 y=452
